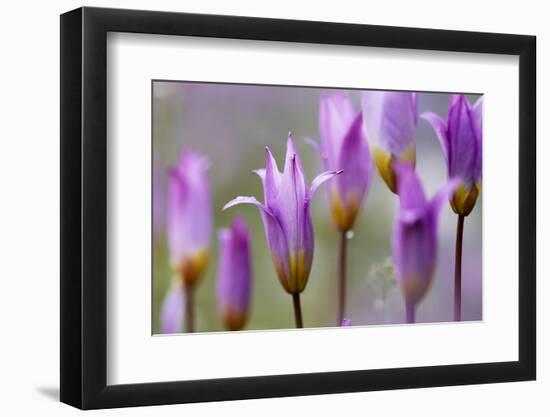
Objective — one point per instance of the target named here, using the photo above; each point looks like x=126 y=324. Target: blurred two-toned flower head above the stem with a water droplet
x=344 y=146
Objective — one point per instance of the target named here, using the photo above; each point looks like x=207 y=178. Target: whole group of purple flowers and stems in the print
x=381 y=133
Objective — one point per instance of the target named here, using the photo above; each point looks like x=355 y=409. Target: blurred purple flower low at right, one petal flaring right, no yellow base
x=415 y=236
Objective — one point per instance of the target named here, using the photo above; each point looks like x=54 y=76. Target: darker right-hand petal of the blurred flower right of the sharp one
x=355 y=160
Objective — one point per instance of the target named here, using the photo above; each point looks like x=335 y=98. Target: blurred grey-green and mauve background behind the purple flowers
x=231 y=124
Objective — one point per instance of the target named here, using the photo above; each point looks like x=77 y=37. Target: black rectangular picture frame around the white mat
x=84 y=207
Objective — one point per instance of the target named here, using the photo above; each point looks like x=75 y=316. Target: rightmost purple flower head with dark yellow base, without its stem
x=460 y=139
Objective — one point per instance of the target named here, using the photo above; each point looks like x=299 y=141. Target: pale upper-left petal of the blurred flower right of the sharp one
x=336 y=114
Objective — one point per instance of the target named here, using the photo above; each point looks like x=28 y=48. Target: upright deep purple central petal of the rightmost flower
x=463 y=140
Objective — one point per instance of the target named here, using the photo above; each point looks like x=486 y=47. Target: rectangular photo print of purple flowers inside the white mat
x=282 y=207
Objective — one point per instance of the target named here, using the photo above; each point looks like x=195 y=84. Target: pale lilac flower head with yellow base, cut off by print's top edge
x=390 y=120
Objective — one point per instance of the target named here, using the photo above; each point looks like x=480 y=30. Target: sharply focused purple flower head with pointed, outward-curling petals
x=286 y=217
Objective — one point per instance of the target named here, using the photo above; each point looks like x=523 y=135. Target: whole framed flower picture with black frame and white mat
x=258 y=207
